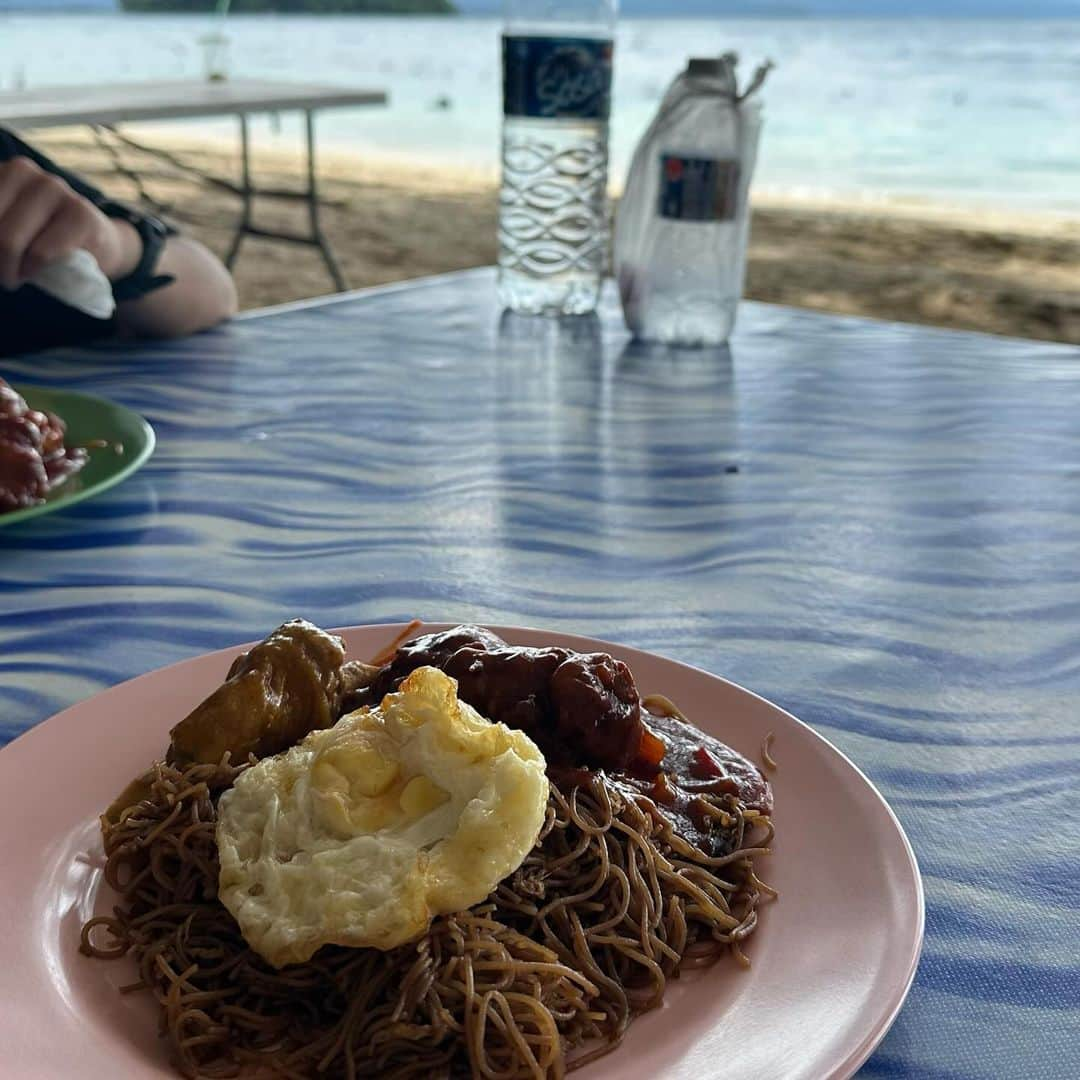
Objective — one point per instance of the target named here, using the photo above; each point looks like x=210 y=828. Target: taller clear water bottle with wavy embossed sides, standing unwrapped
x=553 y=215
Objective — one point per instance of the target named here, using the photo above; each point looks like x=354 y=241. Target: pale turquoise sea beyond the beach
x=961 y=111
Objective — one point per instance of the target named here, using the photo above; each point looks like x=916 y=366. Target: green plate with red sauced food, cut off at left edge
x=89 y=420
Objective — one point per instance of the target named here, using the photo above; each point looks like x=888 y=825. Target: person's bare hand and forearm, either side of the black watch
x=44 y=218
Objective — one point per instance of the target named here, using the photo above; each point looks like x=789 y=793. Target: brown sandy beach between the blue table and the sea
x=390 y=220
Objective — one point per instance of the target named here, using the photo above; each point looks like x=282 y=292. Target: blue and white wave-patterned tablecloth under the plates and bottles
x=877 y=526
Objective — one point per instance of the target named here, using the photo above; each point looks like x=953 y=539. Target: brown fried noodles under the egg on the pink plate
x=542 y=978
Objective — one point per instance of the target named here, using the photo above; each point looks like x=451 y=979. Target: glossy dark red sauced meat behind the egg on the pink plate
x=585 y=713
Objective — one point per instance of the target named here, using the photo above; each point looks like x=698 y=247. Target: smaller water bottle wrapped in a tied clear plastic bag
x=684 y=221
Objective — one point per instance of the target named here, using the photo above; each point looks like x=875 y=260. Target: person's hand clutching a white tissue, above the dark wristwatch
x=44 y=220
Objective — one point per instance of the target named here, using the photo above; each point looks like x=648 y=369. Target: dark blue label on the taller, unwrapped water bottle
x=557 y=78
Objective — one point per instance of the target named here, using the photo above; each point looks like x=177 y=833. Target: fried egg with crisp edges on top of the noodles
x=363 y=833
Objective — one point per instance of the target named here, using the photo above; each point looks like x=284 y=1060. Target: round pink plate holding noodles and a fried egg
x=833 y=958
